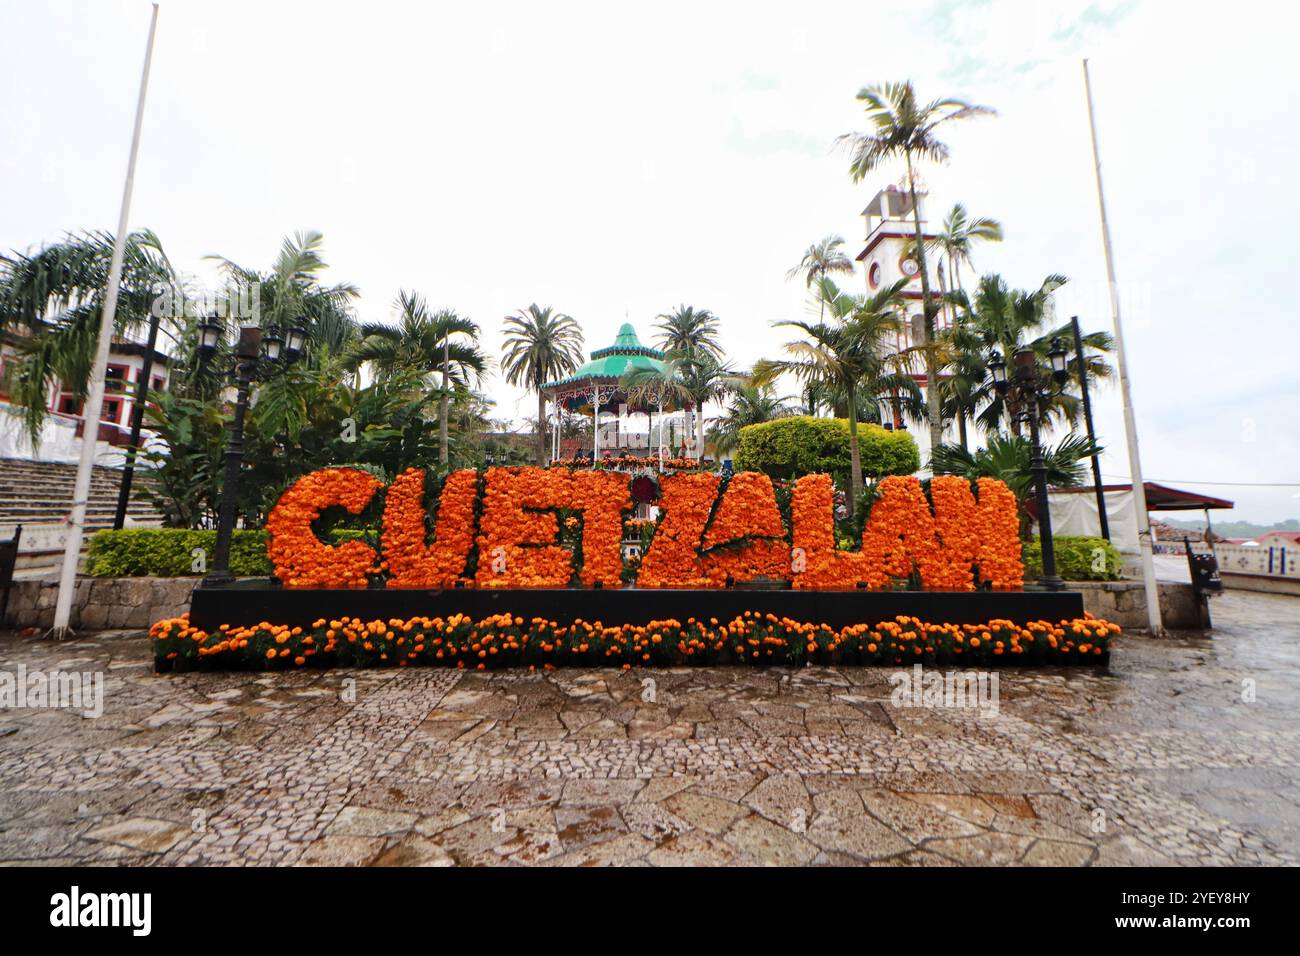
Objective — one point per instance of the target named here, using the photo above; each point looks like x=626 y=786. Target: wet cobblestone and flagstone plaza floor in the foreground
x=1158 y=760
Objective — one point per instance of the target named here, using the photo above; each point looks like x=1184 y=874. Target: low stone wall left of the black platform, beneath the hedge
x=102 y=603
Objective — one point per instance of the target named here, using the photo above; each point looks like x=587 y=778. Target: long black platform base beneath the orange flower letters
x=244 y=605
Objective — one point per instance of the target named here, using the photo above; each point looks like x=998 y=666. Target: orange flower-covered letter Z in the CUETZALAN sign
x=673 y=559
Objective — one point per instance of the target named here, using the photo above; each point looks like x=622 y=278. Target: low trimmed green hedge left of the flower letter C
x=170 y=553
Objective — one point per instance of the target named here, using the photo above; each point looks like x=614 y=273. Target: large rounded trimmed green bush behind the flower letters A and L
x=800 y=445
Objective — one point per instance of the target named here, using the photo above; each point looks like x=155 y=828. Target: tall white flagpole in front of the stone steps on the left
x=96 y=400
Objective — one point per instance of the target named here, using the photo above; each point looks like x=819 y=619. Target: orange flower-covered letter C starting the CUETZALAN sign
x=301 y=559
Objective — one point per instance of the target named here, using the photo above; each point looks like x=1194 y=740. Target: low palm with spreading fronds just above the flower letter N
x=1008 y=458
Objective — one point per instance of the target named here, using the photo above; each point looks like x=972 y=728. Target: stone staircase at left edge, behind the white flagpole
x=40 y=495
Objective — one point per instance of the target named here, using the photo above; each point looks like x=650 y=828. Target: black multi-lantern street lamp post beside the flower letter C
x=253 y=351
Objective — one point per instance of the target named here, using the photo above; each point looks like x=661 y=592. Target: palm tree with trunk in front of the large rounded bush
x=848 y=354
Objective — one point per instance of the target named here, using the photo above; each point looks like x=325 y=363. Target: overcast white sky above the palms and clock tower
x=617 y=159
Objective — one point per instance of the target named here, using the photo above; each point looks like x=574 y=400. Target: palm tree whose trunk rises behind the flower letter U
x=421 y=343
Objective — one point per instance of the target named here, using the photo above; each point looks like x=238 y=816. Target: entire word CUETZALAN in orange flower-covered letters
x=502 y=529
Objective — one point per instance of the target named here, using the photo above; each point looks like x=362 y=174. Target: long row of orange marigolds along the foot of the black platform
x=510 y=642
